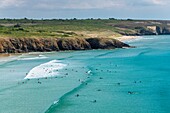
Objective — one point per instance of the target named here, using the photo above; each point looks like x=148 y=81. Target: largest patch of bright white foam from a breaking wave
x=48 y=69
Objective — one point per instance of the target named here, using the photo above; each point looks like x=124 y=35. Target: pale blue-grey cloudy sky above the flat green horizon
x=137 y=9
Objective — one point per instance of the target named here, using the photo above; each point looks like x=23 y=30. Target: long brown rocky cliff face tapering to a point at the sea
x=19 y=45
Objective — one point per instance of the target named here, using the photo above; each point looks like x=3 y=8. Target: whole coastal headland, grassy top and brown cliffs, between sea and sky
x=29 y=35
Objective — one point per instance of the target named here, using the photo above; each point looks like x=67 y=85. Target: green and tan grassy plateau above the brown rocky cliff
x=59 y=28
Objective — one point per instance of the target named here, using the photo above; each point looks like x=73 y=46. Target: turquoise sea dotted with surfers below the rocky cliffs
x=135 y=80
